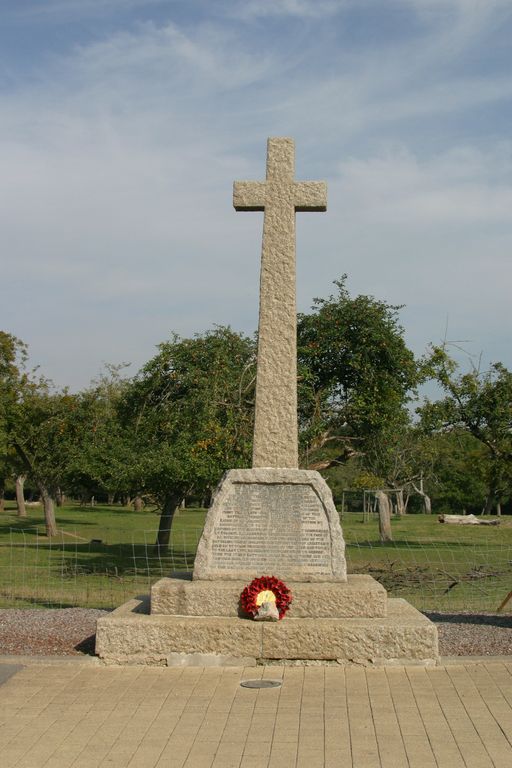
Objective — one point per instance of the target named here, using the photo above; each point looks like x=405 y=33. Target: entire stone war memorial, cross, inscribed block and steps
x=273 y=519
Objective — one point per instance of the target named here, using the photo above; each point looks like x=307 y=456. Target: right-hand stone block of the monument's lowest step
x=404 y=634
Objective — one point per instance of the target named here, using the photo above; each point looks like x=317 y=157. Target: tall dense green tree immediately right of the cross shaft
x=356 y=373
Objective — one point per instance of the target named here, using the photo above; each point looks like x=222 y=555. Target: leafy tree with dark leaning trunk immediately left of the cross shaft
x=190 y=414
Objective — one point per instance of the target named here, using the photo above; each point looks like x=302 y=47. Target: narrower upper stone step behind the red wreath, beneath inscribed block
x=360 y=595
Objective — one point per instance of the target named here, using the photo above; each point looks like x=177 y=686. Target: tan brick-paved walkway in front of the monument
x=69 y=715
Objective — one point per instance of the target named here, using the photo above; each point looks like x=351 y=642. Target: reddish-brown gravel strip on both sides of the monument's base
x=70 y=631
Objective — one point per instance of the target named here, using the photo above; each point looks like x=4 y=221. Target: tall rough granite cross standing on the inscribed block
x=275 y=427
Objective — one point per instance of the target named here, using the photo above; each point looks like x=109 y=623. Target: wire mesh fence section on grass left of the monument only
x=68 y=570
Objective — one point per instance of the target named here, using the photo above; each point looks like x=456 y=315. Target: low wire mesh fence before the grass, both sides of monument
x=460 y=574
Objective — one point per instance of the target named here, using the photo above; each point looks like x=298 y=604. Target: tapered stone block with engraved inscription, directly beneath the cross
x=279 y=522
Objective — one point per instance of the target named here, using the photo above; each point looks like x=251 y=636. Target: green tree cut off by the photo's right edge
x=481 y=404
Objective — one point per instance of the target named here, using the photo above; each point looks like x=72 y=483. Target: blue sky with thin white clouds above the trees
x=123 y=124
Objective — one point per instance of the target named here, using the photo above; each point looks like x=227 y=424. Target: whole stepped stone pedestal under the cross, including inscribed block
x=268 y=522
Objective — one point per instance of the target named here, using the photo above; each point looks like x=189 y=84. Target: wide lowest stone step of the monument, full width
x=132 y=635
